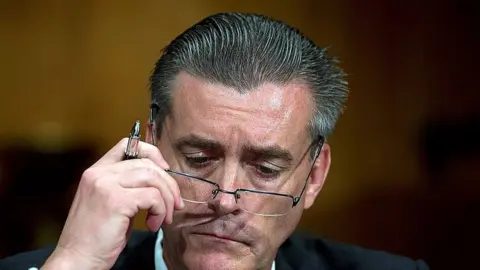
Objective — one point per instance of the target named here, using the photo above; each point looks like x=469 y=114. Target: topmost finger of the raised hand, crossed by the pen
x=117 y=154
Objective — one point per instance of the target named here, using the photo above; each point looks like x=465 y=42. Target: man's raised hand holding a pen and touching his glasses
x=109 y=195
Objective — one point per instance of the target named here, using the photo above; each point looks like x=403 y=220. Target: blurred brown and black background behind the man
x=405 y=176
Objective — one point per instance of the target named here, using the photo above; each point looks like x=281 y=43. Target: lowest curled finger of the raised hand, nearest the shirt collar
x=150 y=199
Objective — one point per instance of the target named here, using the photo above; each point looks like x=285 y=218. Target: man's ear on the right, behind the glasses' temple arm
x=317 y=176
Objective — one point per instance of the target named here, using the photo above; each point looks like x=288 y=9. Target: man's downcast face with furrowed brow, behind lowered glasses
x=219 y=134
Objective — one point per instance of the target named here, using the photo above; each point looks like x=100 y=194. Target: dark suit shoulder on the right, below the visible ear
x=344 y=256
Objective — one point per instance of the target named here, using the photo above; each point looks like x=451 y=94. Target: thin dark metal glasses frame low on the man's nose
x=319 y=142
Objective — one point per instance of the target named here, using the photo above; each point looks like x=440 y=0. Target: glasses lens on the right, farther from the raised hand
x=264 y=204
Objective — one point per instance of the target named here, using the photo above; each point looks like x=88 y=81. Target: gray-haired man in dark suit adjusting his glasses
x=242 y=105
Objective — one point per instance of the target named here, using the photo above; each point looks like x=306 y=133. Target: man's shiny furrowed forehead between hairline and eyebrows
x=268 y=114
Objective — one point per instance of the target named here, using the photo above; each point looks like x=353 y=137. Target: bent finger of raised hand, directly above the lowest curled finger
x=144 y=173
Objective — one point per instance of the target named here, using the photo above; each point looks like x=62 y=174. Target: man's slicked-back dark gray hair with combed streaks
x=243 y=51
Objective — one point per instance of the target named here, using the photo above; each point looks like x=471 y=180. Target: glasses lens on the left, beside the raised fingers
x=194 y=190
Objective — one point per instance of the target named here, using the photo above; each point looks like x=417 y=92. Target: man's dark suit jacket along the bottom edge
x=299 y=252
